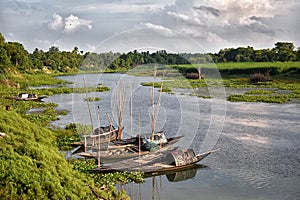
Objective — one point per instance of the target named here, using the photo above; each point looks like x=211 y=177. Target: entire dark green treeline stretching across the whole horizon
x=13 y=55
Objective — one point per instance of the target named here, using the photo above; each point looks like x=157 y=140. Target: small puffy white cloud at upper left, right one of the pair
x=73 y=22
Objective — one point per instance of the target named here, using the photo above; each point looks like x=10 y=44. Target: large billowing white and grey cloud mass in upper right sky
x=223 y=23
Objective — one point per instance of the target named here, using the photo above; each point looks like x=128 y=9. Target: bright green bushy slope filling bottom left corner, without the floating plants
x=32 y=167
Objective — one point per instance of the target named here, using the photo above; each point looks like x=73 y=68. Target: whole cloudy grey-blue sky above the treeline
x=173 y=25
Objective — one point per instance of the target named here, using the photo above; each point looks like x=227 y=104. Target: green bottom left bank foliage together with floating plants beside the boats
x=31 y=166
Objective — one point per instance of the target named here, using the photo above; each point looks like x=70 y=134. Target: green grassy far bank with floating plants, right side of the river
x=281 y=79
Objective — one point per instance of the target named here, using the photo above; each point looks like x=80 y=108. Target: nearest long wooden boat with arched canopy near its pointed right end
x=158 y=162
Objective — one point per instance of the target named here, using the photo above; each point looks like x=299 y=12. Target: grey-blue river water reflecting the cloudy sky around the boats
x=259 y=143
